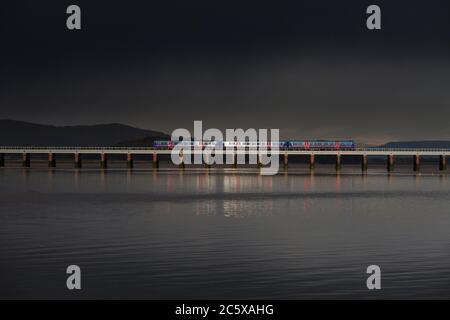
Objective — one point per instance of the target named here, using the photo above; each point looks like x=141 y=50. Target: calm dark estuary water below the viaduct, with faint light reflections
x=224 y=233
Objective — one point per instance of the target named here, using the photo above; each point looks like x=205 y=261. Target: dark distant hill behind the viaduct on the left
x=19 y=133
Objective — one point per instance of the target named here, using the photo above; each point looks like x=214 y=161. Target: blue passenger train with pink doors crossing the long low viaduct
x=282 y=145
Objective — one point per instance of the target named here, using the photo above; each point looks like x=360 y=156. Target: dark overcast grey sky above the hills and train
x=310 y=68
